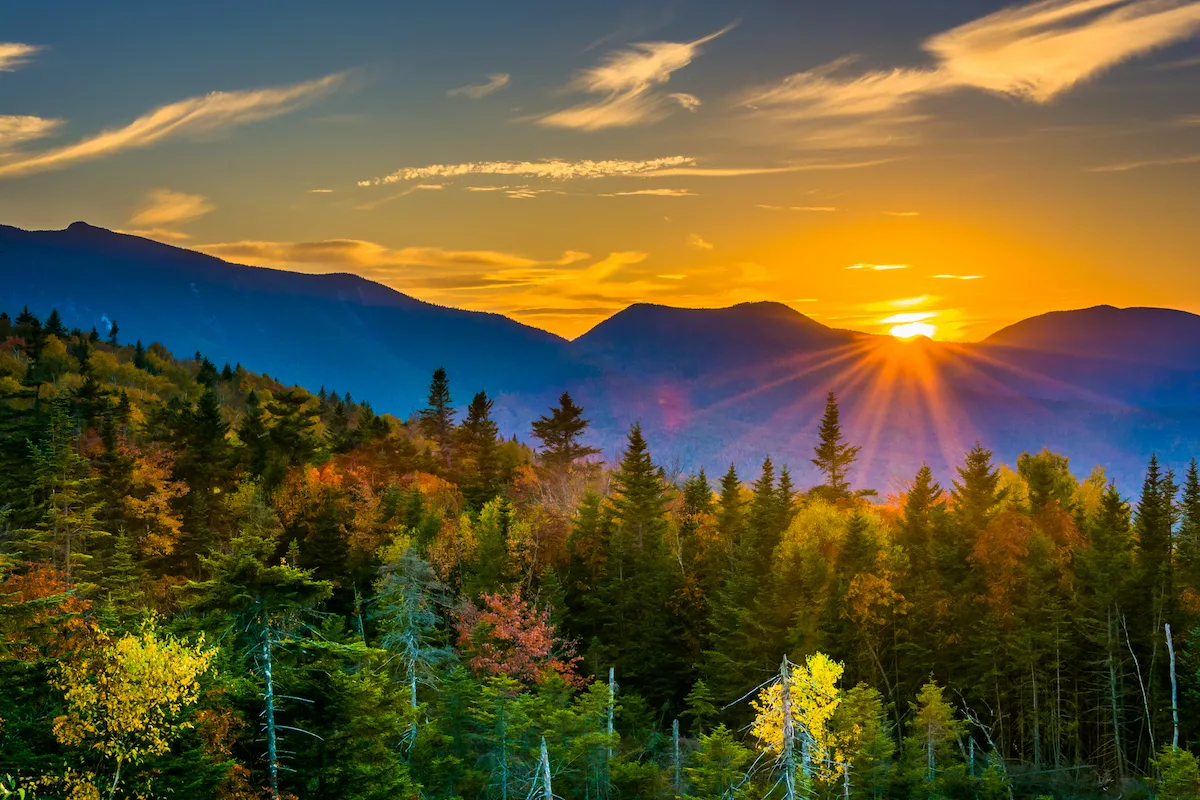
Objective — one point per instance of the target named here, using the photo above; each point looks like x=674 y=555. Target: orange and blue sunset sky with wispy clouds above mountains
x=943 y=166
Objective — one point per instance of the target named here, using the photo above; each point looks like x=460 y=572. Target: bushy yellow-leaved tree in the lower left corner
x=129 y=702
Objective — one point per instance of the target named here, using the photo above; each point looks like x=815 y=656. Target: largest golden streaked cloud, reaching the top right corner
x=1035 y=52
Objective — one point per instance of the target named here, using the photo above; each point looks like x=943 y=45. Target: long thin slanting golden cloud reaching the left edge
x=213 y=113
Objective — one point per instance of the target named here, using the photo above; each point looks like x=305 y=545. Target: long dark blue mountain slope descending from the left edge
x=338 y=330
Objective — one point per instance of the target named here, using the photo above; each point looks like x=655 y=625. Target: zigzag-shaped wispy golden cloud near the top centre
x=627 y=82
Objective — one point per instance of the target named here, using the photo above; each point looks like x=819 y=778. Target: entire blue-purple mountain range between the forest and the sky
x=711 y=387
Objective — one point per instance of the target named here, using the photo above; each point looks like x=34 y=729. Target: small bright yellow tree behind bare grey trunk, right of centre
x=814 y=699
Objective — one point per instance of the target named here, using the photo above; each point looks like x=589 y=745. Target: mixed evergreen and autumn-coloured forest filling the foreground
x=217 y=586
